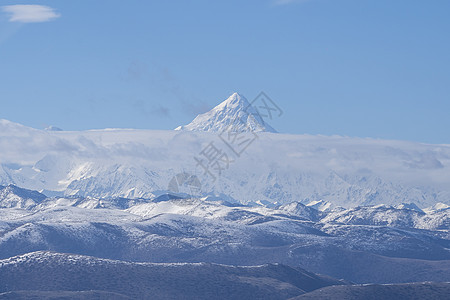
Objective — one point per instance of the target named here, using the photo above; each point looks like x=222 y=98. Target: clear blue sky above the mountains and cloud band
x=377 y=68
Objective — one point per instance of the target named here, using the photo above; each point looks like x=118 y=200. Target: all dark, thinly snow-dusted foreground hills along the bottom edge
x=48 y=275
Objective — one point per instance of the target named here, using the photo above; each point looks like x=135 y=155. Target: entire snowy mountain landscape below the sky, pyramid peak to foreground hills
x=157 y=210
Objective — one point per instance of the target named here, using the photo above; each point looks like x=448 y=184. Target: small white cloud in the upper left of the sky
x=30 y=13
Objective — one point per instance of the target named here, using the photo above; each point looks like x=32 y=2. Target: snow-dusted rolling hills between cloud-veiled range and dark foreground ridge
x=382 y=244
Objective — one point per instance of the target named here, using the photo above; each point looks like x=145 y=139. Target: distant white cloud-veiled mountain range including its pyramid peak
x=253 y=166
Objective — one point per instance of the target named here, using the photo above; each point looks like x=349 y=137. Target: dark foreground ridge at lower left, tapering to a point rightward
x=63 y=272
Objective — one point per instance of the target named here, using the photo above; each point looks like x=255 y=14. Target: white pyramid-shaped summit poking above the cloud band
x=234 y=114
